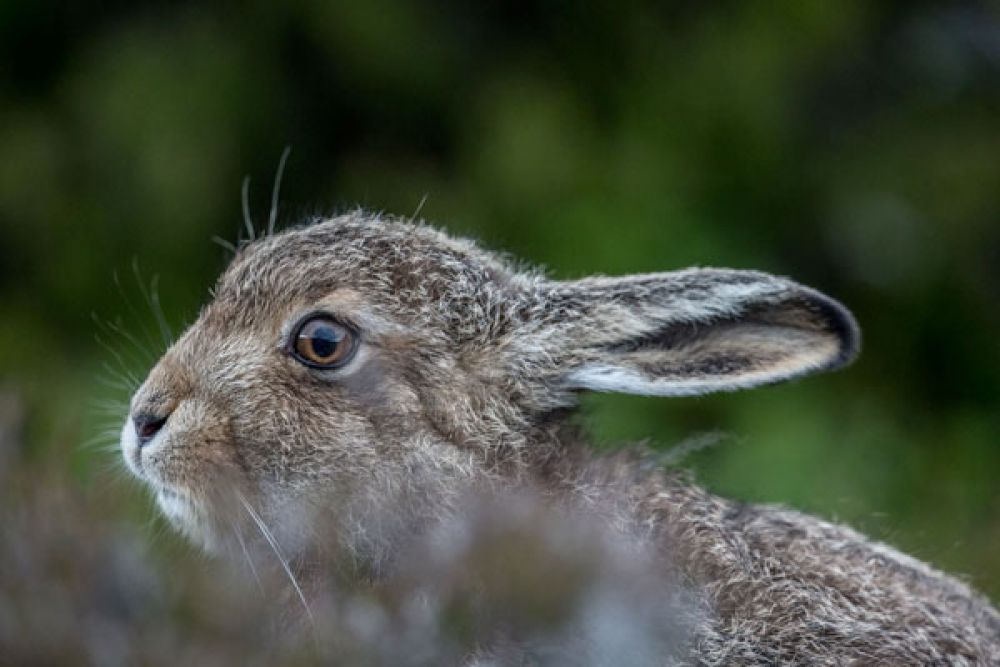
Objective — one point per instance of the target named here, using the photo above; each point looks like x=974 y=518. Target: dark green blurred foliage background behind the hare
x=852 y=145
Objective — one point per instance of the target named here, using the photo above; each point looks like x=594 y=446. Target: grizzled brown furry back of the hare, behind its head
x=788 y=588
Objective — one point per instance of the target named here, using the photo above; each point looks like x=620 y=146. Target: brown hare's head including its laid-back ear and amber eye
x=358 y=359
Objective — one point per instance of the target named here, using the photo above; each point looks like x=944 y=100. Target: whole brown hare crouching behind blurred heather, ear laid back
x=363 y=374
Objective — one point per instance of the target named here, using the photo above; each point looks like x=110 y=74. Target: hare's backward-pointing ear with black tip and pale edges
x=696 y=331
